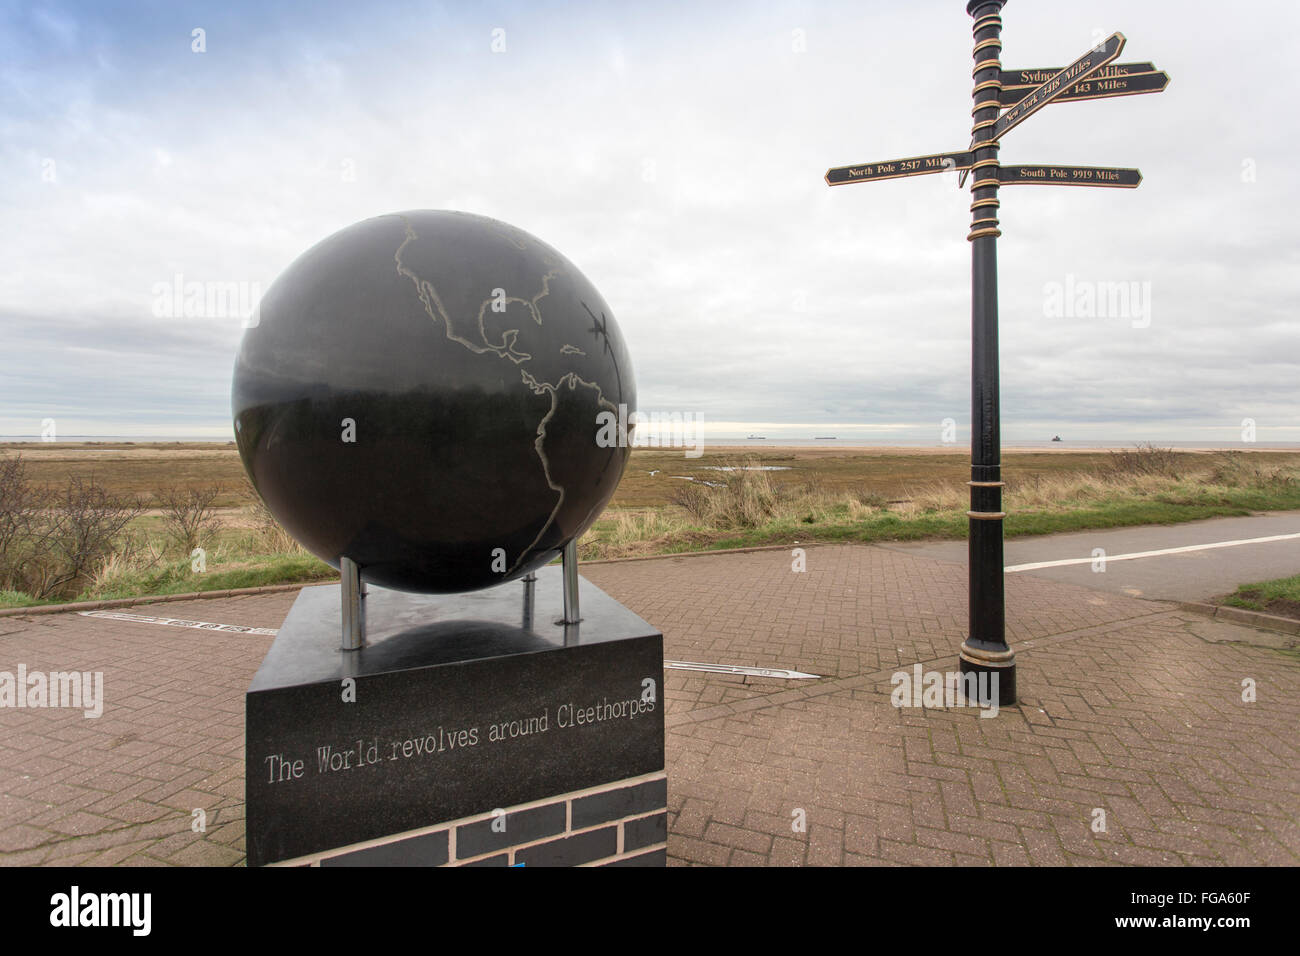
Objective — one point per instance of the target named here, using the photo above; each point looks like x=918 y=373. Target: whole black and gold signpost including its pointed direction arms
x=1024 y=93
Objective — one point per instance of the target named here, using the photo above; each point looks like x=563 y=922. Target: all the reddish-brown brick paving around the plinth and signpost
x=1128 y=707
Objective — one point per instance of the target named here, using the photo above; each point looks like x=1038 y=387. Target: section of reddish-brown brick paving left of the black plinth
x=122 y=789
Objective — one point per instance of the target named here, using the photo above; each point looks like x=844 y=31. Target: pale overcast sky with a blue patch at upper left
x=675 y=153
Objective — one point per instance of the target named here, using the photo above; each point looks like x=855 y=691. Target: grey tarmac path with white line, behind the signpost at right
x=1194 y=576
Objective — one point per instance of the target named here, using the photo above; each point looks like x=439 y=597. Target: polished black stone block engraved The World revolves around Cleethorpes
x=463 y=704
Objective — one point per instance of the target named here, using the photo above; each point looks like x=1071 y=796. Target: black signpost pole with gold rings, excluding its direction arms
x=986 y=650
